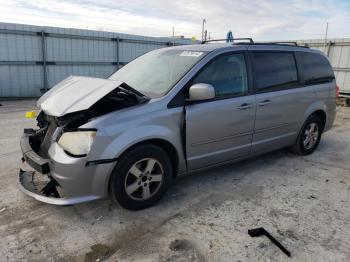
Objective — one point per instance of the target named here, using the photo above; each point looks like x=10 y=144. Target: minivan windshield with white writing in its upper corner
x=156 y=72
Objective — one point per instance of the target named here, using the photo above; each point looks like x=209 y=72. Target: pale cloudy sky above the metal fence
x=262 y=20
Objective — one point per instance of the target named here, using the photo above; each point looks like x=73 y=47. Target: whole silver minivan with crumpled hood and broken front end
x=174 y=111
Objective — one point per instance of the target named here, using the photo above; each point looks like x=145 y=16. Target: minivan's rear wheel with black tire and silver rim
x=309 y=136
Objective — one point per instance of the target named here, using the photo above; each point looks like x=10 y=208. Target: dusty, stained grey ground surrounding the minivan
x=303 y=201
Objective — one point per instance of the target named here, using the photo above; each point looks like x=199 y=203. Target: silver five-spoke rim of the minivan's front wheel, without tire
x=144 y=179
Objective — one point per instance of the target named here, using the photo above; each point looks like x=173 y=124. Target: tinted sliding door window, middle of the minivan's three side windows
x=274 y=71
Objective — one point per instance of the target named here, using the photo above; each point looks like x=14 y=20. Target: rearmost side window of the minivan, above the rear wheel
x=316 y=68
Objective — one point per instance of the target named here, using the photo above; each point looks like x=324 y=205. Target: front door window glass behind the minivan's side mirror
x=227 y=74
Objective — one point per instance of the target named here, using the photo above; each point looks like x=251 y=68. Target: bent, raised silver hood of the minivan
x=75 y=93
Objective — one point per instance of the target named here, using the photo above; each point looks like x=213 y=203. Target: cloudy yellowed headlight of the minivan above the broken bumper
x=77 y=143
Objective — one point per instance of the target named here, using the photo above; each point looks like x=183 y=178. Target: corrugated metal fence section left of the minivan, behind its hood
x=34 y=58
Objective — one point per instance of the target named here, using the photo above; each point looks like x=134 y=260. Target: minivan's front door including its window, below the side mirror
x=221 y=129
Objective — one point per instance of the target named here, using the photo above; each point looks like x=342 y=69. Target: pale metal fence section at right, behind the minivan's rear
x=338 y=51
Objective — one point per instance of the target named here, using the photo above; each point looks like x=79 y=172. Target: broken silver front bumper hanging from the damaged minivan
x=61 y=179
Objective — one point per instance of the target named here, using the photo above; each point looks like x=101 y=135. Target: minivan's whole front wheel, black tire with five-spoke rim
x=141 y=177
